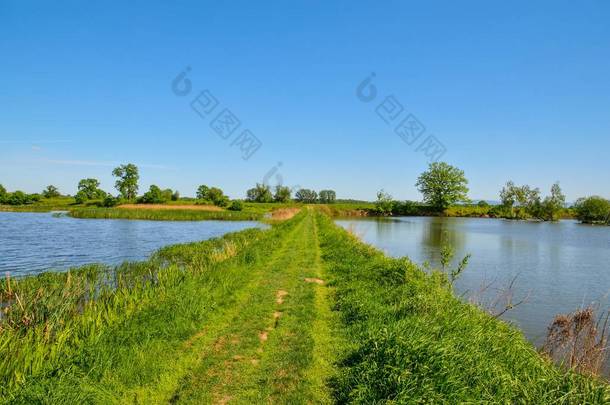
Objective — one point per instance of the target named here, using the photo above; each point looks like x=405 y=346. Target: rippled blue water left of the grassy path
x=34 y=242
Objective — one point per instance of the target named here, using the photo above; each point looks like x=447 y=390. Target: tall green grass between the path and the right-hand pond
x=412 y=340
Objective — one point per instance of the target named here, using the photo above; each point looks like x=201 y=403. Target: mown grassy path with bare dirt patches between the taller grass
x=264 y=351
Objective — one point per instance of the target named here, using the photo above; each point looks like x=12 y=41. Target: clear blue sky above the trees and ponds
x=514 y=90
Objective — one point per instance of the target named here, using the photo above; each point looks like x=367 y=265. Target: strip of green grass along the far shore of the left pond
x=164 y=214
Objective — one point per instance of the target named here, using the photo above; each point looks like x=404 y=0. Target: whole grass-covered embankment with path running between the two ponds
x=301 y=313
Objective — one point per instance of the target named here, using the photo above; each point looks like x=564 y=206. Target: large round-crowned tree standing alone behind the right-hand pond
x=443 y=185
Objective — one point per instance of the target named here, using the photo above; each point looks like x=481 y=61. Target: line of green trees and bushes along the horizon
x=441 y=185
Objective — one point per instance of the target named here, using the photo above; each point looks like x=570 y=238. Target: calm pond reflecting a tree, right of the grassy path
x=562 y=266
